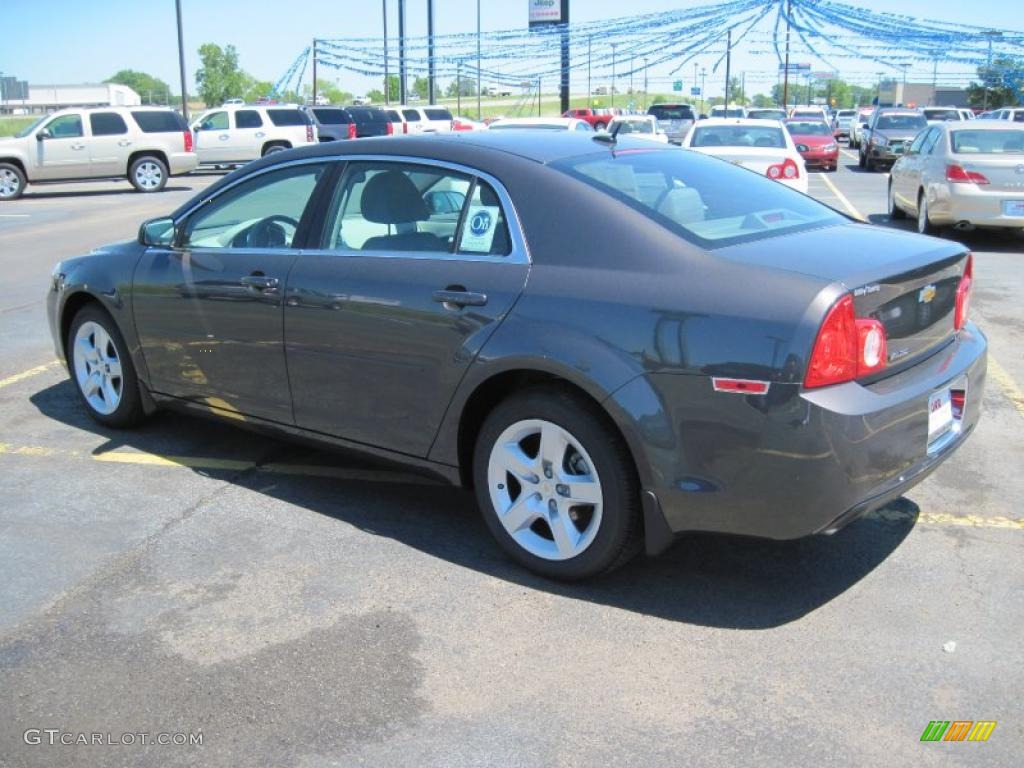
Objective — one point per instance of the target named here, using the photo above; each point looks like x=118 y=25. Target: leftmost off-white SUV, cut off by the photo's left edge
x=147 y=145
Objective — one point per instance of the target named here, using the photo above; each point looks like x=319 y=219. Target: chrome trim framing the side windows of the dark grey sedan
x=519 y=255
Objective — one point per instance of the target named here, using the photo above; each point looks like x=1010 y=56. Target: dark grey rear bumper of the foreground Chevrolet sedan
x=798 y=462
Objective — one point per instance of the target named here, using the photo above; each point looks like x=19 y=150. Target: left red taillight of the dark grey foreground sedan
x=847 y=348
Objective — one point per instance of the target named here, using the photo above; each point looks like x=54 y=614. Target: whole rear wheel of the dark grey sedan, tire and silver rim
x=557 y=486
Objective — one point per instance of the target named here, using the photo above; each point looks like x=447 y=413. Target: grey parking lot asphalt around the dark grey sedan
x=309 y=609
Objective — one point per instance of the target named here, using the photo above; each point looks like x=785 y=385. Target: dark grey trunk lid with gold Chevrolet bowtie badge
x=907 y=282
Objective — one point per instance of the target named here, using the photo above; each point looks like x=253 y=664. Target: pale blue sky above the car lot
x=78 y=41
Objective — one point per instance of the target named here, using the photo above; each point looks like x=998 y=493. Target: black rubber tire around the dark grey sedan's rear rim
x=620 y=536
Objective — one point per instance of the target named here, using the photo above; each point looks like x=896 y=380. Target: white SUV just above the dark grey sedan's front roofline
x=239 y=134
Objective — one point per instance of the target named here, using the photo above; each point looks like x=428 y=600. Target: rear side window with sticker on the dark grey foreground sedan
x=399 y=208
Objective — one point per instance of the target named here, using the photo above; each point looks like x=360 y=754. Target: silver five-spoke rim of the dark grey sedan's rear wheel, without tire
x=545 y=490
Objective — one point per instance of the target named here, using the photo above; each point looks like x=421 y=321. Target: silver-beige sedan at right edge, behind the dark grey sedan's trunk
x=962 y=175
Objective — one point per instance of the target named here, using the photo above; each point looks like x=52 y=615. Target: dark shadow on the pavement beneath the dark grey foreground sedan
x=710 y=580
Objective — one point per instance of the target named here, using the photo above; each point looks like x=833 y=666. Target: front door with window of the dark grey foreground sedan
x=208 y=313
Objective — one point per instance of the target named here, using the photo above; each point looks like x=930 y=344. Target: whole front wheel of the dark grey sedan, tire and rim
x=104 y=375
